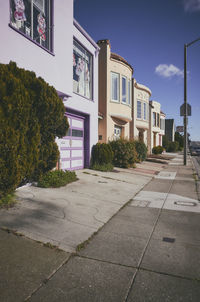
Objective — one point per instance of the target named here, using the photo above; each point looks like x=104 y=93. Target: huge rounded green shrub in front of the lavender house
x=31 y=116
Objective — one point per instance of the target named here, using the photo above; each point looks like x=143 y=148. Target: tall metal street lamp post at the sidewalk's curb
x=185 y=98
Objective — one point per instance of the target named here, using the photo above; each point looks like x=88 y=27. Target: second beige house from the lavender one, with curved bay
x=141 y=113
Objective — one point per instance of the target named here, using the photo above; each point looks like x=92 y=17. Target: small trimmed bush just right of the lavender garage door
x=101 y=157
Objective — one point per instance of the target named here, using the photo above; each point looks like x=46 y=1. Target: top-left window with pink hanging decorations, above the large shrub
x=33 y=18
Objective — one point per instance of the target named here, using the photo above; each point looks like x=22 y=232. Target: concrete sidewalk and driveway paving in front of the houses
x=147 y=247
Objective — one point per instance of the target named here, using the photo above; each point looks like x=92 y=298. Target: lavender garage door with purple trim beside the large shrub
x=72 y=145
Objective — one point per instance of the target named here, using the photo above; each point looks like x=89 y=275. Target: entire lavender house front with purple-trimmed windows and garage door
x=42 y=36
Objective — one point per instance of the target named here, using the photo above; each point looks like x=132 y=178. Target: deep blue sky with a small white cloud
x=150 y=35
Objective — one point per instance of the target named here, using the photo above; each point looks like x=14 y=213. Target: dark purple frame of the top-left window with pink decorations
x=50 y=48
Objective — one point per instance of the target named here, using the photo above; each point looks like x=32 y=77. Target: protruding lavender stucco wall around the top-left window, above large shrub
x=56 y=70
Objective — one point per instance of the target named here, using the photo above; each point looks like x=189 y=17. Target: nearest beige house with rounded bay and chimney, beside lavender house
x=115 y=94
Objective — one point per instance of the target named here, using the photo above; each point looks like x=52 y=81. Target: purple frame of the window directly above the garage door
x=91 y=70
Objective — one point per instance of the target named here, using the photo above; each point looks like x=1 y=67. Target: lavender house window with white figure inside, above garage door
x=82 y=71
